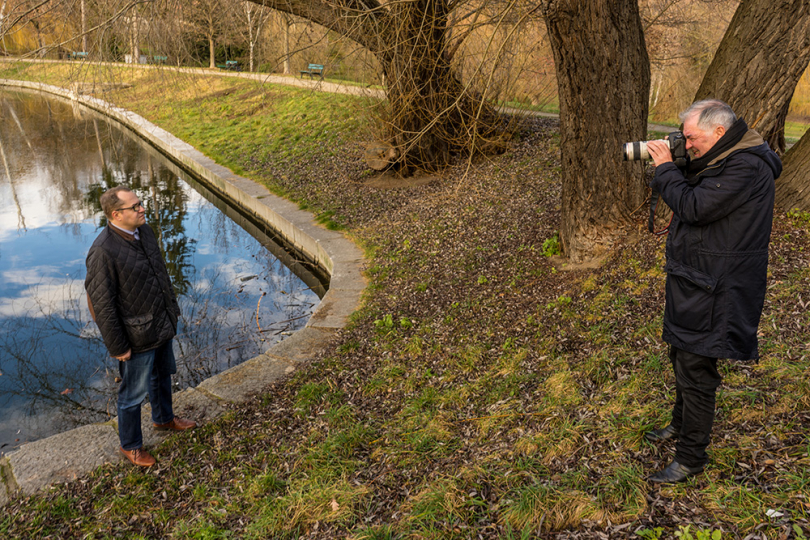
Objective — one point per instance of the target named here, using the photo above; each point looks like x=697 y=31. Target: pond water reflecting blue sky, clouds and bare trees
x=235 y=286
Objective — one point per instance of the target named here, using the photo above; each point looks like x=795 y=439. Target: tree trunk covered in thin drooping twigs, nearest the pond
x=431 y=114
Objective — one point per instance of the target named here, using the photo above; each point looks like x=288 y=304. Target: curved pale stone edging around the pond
x=74 y=453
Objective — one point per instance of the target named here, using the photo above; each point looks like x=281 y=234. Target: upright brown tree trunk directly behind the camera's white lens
x=603 y=79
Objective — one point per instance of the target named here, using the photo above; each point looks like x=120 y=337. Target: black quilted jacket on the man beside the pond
x=129 y=292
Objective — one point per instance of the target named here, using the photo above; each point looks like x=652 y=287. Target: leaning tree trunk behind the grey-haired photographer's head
x=764 y=52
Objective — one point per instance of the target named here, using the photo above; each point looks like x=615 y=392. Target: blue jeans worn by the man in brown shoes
x=147 y=372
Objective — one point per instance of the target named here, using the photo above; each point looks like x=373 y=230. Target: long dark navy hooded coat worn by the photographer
x=717 y=250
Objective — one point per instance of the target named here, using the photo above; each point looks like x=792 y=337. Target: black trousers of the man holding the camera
x=696 y=382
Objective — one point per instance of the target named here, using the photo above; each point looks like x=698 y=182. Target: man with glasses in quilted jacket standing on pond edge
x=131 y=299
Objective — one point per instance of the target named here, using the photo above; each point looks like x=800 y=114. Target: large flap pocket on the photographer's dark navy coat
x=690 y=297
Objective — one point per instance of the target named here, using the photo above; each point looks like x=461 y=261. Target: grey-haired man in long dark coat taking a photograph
x=717 y=260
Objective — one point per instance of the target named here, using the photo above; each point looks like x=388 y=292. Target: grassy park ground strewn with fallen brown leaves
x=481 y=389
